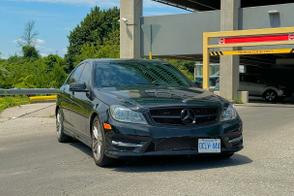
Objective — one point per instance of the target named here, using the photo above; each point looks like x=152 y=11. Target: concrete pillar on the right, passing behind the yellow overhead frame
x=229 y=65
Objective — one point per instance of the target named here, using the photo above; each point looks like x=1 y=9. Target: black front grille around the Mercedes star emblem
x=172 y=116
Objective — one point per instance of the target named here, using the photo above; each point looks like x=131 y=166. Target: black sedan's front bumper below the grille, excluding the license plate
x=131 y=140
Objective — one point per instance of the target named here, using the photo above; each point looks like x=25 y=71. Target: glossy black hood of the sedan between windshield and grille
x=147 y=97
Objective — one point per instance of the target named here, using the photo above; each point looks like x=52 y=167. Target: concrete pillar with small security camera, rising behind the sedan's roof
x=130 y=28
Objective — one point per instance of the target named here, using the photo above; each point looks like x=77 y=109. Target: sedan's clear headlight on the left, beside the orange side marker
x=123 y=114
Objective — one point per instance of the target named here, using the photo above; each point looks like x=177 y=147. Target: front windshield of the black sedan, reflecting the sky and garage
x=121 y=74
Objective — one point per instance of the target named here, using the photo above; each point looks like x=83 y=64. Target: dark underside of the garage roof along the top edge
x=204 y=5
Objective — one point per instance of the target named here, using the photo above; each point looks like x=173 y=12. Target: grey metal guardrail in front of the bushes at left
x=28 y=91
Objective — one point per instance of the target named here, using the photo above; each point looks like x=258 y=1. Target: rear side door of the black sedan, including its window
x=66 y=98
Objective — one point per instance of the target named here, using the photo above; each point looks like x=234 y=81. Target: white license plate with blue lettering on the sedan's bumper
x=209 y=145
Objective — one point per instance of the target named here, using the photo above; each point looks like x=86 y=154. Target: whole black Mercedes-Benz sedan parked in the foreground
x=133 y=108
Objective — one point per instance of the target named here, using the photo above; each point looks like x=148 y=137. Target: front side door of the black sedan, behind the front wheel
x=83 y=105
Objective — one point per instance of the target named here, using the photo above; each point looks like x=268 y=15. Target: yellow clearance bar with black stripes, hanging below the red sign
x=252 y=52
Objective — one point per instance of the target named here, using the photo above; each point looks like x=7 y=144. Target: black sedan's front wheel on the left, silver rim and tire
x=98 y=145
